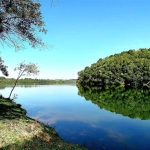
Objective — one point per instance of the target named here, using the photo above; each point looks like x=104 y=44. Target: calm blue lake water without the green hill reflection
x=80 y=121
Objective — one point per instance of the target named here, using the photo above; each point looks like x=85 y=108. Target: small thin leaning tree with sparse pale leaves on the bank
x=25 y=70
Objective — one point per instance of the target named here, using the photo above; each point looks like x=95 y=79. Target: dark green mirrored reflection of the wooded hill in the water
x=133 y=102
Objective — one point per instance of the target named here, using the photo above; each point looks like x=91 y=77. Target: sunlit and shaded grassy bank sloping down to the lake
x=19 y=132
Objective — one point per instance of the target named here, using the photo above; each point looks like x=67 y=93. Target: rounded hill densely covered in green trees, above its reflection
x=130 y=68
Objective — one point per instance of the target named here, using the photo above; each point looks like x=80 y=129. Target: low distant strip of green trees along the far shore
x=11 y=81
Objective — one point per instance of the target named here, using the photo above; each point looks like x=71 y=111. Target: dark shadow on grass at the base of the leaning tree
x=10 y=110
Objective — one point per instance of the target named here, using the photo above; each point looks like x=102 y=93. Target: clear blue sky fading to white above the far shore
x=82 y=31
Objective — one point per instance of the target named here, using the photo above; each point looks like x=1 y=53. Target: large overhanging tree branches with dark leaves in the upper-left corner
x=19 y=21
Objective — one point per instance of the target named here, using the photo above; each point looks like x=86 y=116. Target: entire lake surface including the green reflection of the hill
x=105 y=122
